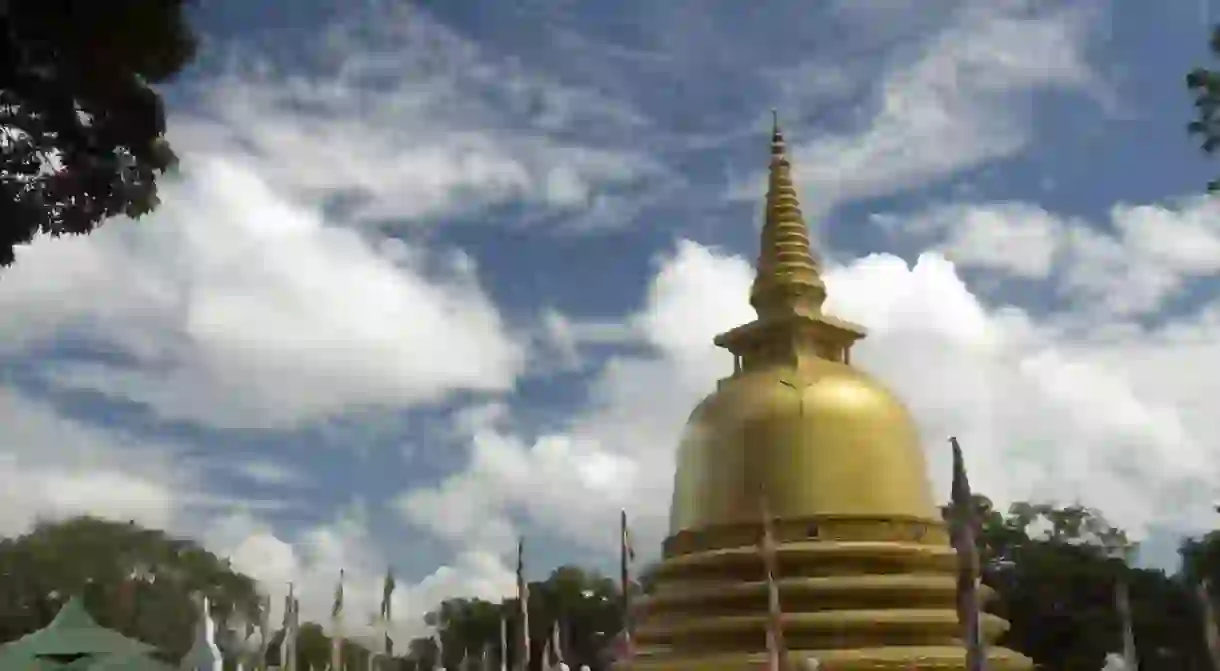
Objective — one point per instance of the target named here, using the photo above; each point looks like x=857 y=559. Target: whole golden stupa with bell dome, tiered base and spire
x=867 y=578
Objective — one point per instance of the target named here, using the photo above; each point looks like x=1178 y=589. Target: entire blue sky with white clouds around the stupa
x=434 y=276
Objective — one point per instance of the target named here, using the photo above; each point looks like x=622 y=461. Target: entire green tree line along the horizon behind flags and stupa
x=1053 y=569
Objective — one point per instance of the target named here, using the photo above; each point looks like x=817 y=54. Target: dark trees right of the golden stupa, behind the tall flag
x=1057 y=587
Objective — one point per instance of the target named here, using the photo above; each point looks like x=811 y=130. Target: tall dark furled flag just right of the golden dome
x=962 y=530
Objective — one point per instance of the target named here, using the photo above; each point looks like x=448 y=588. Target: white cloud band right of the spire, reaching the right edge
x=1129 y=265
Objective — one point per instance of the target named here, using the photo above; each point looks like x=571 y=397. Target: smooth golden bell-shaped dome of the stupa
x=827 y=441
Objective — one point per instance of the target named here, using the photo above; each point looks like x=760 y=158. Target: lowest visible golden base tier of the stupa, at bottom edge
x=950 y=658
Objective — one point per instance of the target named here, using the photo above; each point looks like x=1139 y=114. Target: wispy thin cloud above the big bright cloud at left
x=412 y=121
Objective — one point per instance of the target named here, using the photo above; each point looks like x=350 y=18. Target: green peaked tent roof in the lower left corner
x=73 y=633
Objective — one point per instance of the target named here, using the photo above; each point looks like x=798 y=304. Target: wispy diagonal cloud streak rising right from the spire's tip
x=957 y=103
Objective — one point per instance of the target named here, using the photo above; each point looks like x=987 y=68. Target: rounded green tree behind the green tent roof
x=137 y=581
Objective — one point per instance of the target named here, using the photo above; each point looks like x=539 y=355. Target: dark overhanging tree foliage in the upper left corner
x=84 y=129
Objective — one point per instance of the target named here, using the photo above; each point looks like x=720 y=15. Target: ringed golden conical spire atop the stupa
x=789 y=278
